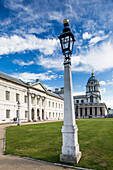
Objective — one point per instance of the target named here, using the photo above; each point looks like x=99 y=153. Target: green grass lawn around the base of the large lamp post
x=44 y=141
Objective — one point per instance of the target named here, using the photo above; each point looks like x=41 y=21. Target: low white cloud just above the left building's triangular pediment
x=31 y=77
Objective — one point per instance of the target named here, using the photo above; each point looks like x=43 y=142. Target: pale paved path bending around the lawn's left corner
x=16 y=163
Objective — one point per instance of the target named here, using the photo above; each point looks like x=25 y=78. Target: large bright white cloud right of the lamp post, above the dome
x=99 y=58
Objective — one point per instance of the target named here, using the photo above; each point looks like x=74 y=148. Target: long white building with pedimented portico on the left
x=36 y=102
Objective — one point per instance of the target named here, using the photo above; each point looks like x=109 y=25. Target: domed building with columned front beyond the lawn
x=90 y=105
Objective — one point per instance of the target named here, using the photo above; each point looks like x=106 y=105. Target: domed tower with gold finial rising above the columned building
x=92 y=90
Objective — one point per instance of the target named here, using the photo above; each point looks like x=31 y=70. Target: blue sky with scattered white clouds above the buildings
x=30 y=49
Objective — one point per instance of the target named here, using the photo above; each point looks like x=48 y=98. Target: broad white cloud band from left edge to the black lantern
x=30 y=42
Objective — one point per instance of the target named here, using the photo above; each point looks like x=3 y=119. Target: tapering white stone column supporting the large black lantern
x=70 y=148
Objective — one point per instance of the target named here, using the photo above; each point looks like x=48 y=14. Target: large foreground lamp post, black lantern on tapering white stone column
x=70 y=148
